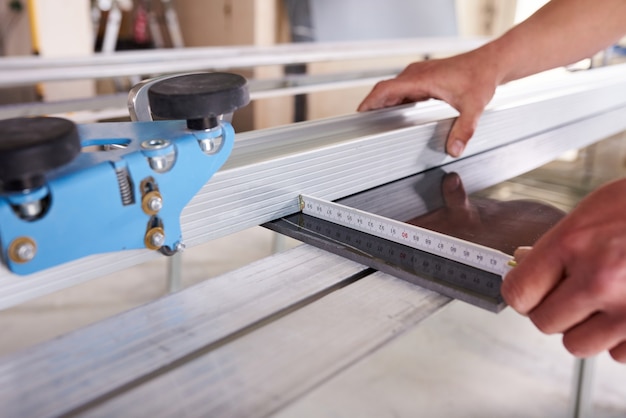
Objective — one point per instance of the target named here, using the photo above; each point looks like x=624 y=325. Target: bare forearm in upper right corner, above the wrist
x=560 y=33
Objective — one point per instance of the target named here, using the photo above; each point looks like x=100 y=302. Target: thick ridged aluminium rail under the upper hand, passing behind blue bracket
x=338 y=157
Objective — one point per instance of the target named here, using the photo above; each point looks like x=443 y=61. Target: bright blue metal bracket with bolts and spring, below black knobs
x=125 y=190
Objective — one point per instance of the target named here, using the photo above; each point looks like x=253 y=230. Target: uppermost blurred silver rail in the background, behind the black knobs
x=31 y=70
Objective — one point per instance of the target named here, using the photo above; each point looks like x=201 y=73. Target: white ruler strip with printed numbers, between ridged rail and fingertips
x=433 y=242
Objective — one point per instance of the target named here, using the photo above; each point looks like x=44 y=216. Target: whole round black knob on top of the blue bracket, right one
x=198 y=98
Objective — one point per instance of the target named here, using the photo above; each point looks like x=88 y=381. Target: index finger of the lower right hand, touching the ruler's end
x=525 y=286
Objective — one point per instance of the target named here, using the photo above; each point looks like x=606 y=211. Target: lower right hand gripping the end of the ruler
x=573 y=281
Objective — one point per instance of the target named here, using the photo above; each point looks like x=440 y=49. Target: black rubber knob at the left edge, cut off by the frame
x=30 y=147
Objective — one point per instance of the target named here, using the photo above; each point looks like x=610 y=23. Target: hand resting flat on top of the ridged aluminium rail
x=466 y=82
